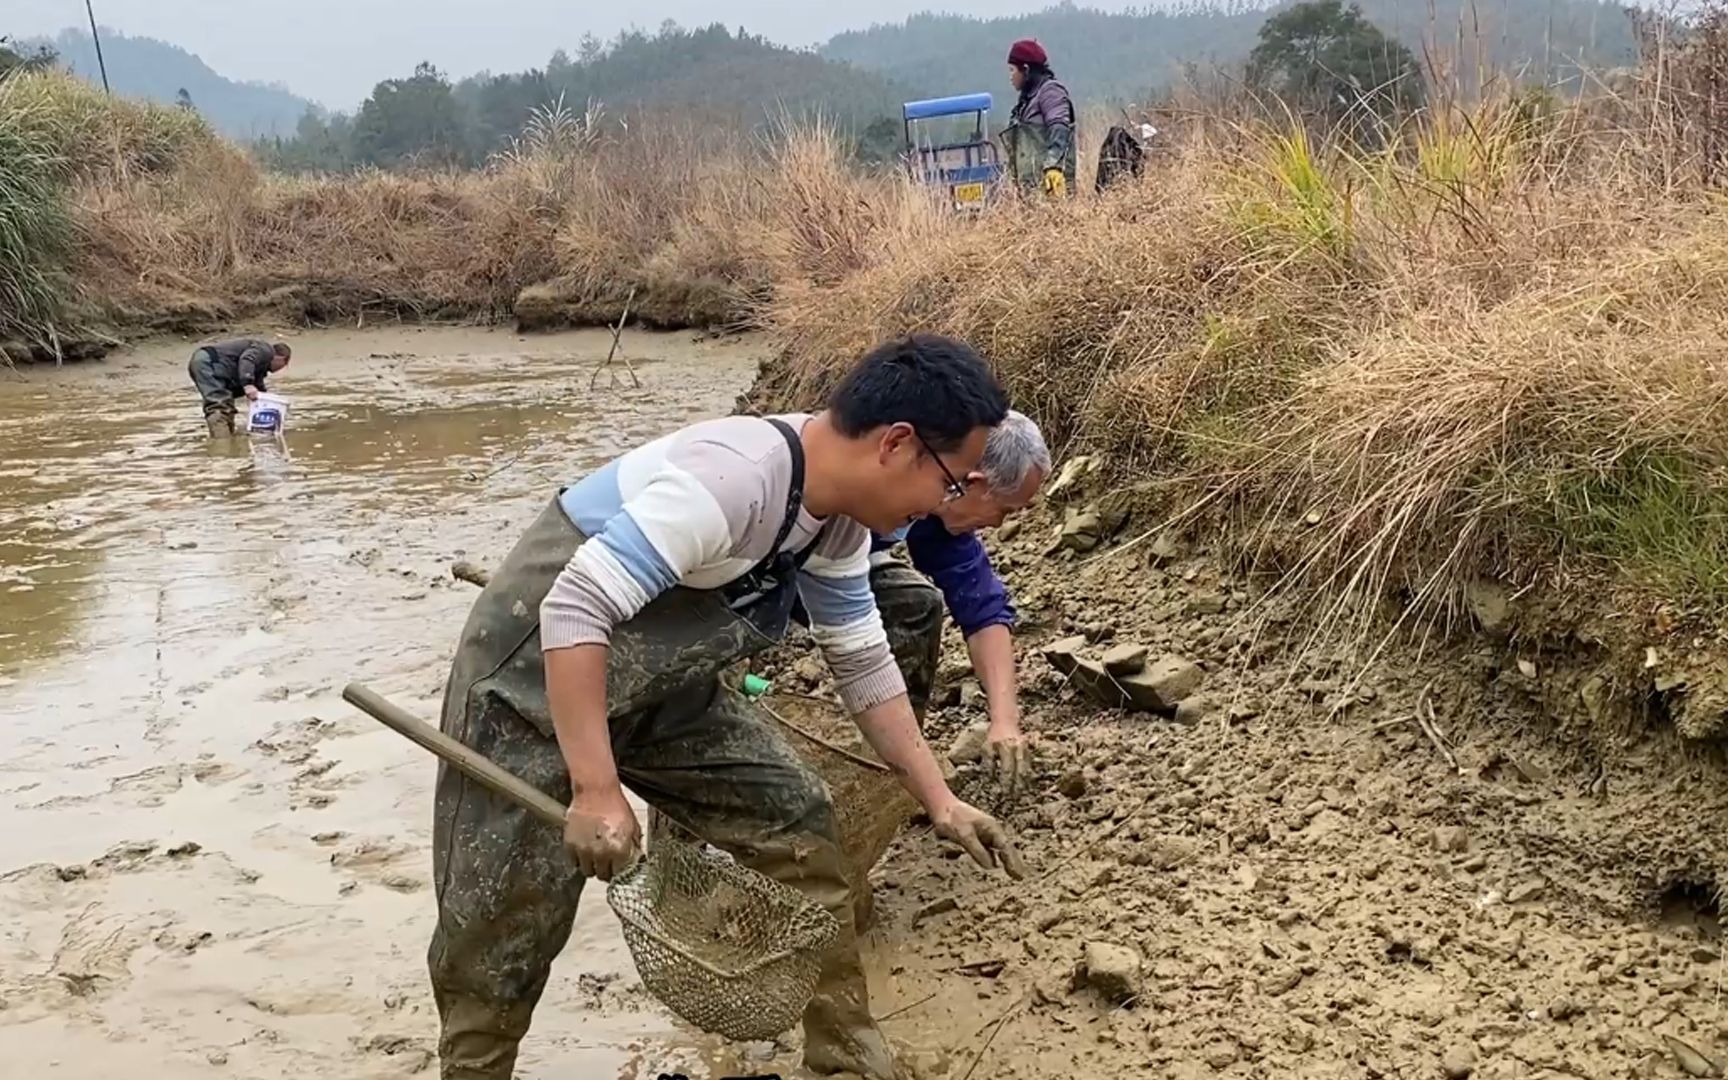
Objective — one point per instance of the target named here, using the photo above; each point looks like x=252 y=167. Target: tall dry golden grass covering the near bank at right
x=1494 y=352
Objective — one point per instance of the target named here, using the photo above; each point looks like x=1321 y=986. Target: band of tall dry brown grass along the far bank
x=163 y=227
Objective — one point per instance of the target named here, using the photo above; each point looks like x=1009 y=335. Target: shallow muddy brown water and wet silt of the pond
x=213 y=867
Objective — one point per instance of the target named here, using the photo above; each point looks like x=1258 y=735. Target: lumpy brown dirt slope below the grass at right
x=1323 y=863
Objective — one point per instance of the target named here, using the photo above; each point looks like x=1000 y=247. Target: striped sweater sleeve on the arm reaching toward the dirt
x=844 y=619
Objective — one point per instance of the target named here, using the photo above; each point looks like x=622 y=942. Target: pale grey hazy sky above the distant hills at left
x=334 y=51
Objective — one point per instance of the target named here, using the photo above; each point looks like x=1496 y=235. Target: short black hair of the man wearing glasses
x=937 y=384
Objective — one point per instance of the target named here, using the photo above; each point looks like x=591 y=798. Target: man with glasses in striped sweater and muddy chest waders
x=592 y=661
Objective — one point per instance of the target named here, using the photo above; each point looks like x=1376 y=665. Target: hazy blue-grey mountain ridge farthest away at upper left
x=160 y=72
